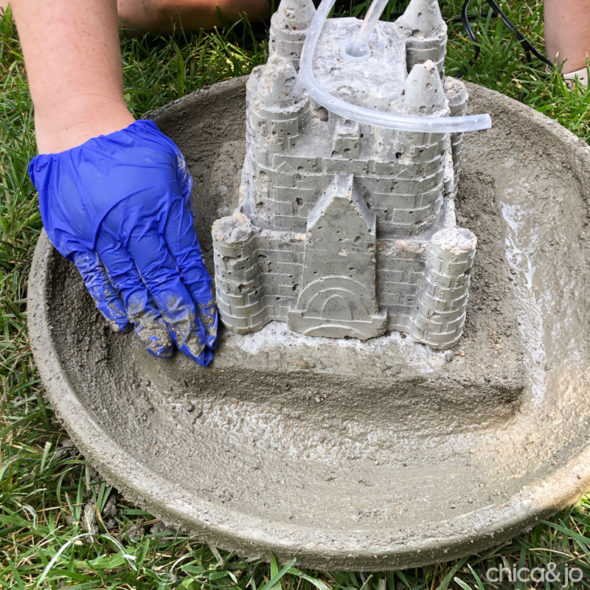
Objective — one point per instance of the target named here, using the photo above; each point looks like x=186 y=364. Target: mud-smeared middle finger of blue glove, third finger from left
x=160 y=275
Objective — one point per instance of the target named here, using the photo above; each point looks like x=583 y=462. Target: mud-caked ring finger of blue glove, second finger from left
x=141 y=310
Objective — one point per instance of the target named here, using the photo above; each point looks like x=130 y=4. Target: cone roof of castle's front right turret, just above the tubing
x=423 y=91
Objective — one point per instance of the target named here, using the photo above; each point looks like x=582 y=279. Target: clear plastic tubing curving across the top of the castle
x=334 y=104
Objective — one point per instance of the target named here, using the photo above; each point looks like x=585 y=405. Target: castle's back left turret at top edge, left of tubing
x=288 y=27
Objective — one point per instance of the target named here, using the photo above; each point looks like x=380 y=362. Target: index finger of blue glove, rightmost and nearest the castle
x=183 y=244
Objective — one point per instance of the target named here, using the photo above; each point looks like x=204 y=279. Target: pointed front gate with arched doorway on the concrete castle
x=338 y=297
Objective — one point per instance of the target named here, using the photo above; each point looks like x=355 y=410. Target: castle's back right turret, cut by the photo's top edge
x=426 y=33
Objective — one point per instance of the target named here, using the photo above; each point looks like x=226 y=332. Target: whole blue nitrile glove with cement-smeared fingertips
x=118 y=206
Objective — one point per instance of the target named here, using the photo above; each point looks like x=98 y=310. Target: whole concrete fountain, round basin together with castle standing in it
x=322 y=432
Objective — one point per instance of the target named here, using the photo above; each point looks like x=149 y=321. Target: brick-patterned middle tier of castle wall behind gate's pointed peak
x=406 y=195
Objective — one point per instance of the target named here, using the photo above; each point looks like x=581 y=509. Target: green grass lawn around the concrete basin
x=60 y=525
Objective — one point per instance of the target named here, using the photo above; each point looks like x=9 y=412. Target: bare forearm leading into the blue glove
x=72 y=55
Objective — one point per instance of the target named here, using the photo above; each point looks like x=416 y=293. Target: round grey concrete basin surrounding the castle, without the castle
x=348 y=454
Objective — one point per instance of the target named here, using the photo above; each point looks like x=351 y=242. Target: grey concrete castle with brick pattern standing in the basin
x=344 y=229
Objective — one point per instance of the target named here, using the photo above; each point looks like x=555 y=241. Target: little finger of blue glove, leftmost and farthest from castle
x=100 y=288
